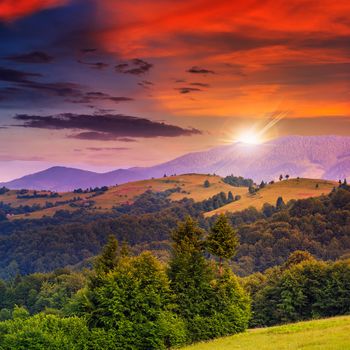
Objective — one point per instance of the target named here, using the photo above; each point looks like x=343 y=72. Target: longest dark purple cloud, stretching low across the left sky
x=104 y=127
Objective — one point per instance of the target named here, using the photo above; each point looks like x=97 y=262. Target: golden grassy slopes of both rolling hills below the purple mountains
x=191 y=187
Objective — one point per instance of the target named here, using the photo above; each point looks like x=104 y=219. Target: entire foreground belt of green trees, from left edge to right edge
x=136 y=301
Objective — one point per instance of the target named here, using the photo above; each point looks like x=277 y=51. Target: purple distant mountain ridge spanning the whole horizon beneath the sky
x=326 y=157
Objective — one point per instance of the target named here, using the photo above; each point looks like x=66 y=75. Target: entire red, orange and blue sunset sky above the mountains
x=106 y=84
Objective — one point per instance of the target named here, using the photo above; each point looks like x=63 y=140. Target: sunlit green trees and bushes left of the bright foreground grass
x=134 y=302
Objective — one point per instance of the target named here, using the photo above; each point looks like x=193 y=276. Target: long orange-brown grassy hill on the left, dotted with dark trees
x=190 y=186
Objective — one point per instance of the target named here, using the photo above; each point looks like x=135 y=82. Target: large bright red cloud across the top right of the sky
x=169 y=28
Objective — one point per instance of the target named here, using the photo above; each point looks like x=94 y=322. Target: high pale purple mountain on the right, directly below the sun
x=314 y=157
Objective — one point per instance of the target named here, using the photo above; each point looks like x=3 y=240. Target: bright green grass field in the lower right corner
x=325 y=334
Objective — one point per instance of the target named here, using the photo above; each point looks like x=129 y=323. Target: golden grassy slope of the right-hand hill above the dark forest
x=288 y=189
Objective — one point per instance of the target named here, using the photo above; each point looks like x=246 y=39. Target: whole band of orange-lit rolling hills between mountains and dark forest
x=184 y=186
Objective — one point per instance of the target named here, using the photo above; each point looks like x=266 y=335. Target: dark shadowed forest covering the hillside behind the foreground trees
x=318 y=225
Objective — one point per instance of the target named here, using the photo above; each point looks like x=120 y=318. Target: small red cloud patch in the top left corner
x=13 y=9
